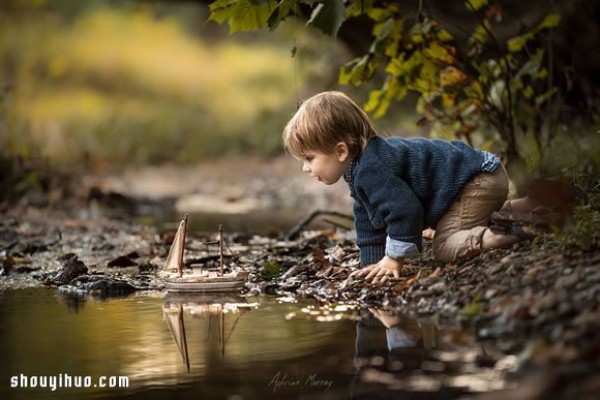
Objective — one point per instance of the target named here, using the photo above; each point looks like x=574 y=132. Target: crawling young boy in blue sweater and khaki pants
x=401 y=186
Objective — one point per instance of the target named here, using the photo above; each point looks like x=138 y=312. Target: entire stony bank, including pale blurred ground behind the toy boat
x=533 y=311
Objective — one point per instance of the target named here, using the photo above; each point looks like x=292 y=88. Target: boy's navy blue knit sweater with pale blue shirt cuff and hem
x=401 y=186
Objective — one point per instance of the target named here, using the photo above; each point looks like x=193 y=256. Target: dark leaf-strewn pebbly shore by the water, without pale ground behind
x=537 y=301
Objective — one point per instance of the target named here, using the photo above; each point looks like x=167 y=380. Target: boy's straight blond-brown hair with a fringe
x=323 y=121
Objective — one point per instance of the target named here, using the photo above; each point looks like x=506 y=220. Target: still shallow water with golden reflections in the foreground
x=162 y=346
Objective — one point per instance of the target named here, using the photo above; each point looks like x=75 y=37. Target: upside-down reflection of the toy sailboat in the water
x=175 y=305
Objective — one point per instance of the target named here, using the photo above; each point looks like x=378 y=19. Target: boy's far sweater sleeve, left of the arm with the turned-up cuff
x=370 y=240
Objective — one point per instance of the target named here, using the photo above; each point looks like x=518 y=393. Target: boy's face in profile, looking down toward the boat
x=327 y=168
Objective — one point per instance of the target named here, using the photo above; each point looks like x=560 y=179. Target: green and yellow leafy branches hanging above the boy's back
x=488 y=75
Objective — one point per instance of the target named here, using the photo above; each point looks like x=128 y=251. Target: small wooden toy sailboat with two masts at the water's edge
x=198 y=280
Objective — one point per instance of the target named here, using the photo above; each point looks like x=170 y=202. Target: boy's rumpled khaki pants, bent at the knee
x=458 y=233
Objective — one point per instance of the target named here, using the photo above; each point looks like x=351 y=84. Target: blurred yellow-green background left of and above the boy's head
x=100 y=84
